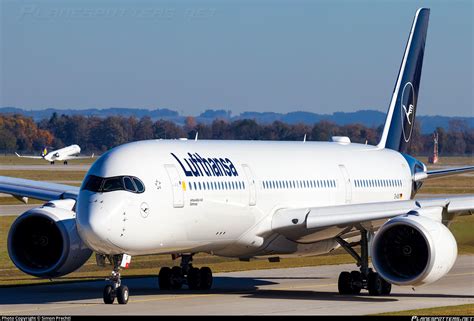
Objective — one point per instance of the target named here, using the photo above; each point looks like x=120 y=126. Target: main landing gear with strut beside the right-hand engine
x=353 y=282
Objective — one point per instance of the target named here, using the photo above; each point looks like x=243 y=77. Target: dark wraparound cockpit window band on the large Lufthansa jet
x=117 y=183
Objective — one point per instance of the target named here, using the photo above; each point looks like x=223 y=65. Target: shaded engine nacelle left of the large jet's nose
x=44 y=242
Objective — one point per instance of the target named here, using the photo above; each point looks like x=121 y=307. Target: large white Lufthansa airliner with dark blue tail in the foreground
x=250 y=199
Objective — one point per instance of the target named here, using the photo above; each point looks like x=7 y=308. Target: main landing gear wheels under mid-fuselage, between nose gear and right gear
x=174 y=278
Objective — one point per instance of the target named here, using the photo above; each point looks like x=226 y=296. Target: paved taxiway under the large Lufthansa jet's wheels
x=306 y=290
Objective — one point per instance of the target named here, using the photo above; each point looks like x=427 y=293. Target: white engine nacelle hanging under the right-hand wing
x=413 y=250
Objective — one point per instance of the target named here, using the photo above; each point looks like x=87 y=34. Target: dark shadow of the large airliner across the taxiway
x=247 y=287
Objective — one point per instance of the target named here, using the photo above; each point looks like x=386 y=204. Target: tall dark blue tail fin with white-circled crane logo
x=401 y=113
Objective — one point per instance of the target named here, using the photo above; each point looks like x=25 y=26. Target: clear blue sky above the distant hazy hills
x=319 y=56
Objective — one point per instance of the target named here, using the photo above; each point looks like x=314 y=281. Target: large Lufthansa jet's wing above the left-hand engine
x=45 y=191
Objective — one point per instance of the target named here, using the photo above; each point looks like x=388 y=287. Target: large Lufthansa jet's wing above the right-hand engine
x=304 y=219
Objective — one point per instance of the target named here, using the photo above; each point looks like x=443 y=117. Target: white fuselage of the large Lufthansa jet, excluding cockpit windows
x=226 y=206
